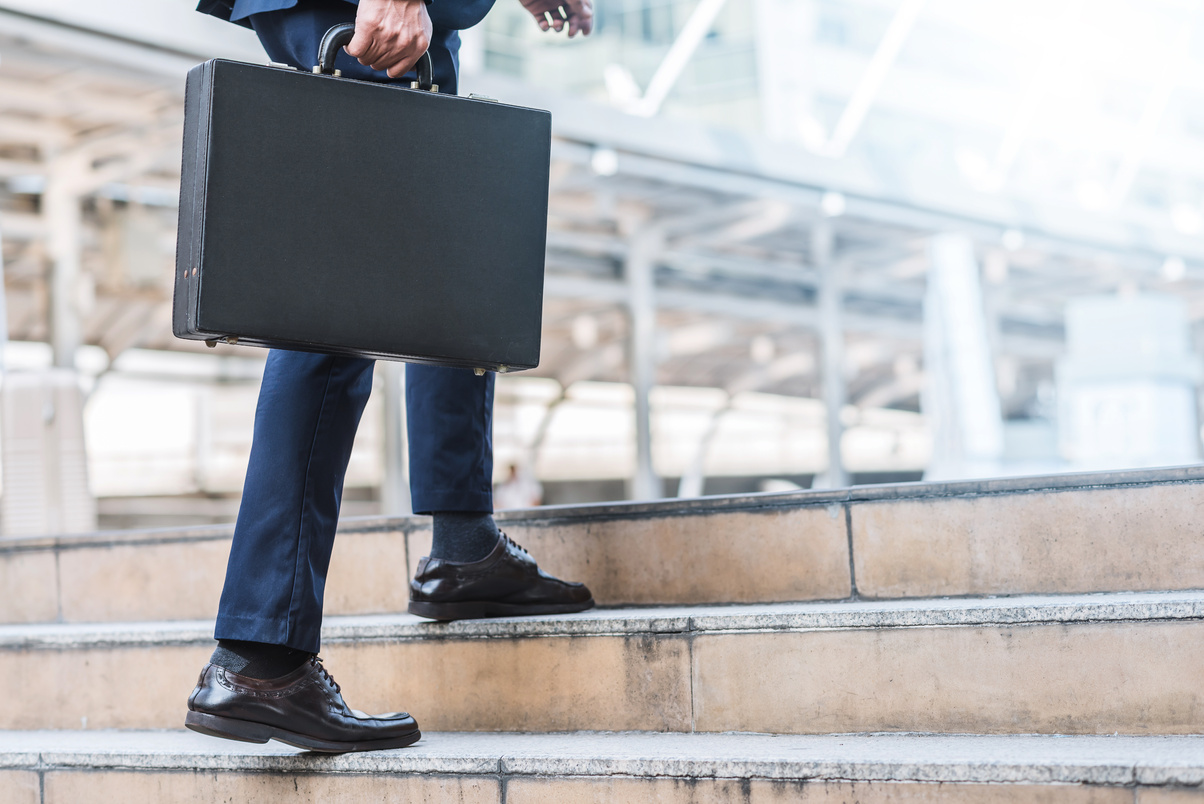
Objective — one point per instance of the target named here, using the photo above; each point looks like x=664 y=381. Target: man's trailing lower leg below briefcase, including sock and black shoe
x=264 y=681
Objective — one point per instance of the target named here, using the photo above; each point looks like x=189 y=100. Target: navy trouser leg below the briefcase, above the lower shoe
x=309 y=410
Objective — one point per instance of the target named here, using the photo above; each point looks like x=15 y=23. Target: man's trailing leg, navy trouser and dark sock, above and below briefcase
x=310 y=409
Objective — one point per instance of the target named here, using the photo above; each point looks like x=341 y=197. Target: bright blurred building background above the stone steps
x=793 y=244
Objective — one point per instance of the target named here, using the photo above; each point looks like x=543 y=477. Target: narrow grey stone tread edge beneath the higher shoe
x=1029 y=610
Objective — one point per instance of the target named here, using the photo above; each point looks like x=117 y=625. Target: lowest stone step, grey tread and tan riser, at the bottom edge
x=103 y=767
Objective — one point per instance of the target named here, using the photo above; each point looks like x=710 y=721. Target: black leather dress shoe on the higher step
x=504 y=584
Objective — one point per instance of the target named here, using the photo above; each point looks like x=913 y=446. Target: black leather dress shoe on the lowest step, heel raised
x=304 y=708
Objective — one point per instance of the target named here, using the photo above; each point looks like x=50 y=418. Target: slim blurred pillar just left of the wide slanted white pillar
x=833 y=336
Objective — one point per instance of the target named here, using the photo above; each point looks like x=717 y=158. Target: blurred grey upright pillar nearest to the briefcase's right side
x=640 y=273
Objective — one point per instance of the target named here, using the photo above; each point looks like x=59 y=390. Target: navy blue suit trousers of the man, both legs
x=310 y=407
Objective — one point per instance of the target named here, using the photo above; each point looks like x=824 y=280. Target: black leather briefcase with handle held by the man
x=327 y=215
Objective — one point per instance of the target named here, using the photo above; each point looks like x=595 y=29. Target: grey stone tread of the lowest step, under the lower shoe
x=1107 y=760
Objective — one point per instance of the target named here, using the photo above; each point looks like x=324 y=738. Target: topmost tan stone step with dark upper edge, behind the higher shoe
x=1130 y=531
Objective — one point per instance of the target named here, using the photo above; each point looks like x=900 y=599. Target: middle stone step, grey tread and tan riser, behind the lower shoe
x=1085 y=664
